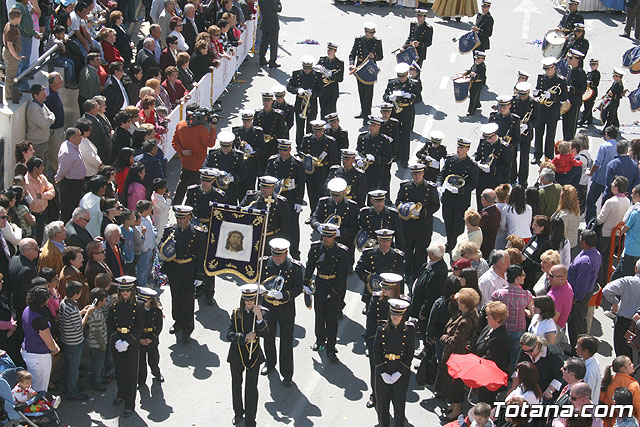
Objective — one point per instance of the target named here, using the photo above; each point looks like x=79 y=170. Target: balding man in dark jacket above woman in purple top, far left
x=22 y=269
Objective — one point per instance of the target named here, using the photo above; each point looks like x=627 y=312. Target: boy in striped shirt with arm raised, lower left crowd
x=71 y=326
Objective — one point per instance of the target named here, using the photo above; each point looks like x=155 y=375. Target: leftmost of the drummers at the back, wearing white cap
x=366 y=46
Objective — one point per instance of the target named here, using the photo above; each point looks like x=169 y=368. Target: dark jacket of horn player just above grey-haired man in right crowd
x=424 y=193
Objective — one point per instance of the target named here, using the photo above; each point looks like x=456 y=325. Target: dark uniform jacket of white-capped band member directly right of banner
x=291 y=271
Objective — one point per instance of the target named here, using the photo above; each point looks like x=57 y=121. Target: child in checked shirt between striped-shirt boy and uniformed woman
x=97 y=338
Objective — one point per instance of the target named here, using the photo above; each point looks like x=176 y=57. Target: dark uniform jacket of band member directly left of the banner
x=190 y=250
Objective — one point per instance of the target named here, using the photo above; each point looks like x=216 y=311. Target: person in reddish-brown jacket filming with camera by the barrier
x=191 y=140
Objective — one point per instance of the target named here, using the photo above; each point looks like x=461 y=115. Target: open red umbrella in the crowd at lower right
x=476 y=372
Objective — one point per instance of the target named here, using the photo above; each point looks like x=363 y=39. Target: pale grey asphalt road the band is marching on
x=197 y=390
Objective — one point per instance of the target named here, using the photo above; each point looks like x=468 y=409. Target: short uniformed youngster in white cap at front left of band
x=150 y=337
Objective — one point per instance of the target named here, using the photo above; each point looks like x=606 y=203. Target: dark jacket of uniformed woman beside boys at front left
x=127 y=315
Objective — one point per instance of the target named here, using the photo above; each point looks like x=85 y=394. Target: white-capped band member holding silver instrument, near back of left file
x=307 y=85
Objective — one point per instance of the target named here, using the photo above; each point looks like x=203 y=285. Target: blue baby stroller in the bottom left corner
x=14 y=415
